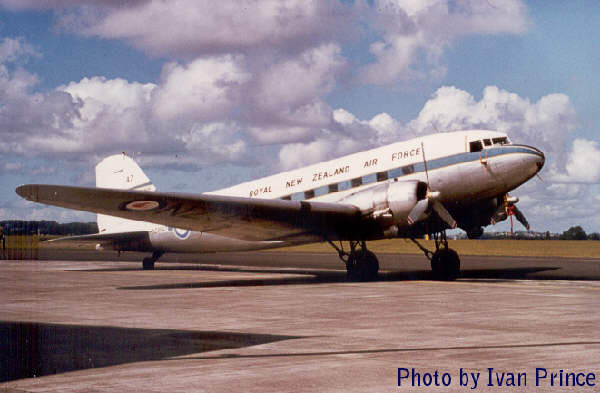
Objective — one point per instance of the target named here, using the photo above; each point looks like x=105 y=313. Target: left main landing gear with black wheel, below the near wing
x=361 y=264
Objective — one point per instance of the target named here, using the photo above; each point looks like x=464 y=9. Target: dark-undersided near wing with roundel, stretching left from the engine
x=242 y=218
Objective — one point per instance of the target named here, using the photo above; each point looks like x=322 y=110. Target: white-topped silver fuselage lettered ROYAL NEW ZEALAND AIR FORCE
x=459 y=175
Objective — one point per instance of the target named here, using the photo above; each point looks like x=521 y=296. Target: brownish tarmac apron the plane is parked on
x=289 y=322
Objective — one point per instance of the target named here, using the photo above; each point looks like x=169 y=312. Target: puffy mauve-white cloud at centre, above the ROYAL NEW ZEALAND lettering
x=284 y=102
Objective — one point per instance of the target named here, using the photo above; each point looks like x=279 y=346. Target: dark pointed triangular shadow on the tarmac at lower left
x=30 y=350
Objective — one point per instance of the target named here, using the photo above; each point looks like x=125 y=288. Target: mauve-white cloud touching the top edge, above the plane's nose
x=415 y=33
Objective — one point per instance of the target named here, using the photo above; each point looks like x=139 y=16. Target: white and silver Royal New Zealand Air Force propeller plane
x=407 y=189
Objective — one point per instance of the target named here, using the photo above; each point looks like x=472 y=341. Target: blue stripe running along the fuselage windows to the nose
x=417 y=167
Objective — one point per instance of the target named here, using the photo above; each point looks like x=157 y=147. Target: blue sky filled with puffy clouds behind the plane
x=206 y=94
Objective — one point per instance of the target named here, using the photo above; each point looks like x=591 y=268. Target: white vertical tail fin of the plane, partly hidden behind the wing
x=121 y=172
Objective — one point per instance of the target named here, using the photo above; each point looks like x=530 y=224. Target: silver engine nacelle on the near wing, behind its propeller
x=391 y=201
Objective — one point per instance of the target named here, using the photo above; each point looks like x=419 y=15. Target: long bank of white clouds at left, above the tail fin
x=97 y=116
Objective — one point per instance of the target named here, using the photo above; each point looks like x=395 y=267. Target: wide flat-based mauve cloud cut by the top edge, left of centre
x=194 y=28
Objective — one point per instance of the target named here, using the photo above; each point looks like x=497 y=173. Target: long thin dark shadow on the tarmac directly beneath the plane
x=307 y=276
